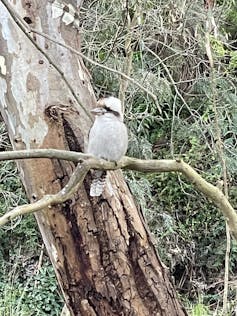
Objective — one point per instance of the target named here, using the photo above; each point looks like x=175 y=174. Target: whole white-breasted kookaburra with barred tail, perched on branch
x=108 y=138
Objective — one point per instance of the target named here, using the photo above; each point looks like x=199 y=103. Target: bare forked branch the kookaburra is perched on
x=87 y=162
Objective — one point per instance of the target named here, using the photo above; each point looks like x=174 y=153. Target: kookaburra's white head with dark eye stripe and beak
x=109 y=105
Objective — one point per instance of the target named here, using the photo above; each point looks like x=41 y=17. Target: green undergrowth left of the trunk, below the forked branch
x=26 y=289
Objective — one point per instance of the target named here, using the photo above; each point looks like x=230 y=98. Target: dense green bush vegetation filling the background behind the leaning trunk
x=163 y=46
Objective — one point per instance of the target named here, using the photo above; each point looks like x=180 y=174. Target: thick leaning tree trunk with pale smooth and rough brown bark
x=102 y=254
